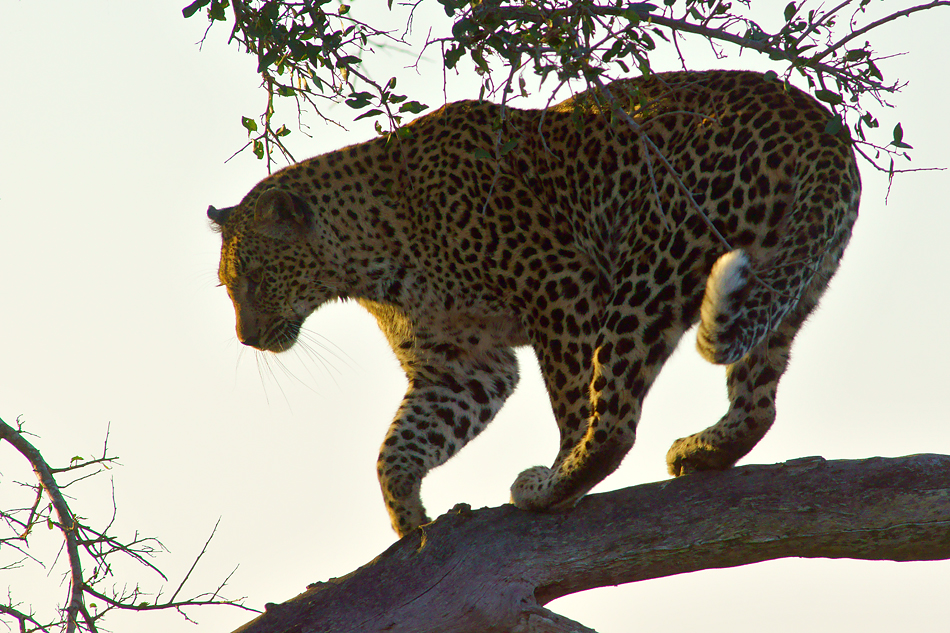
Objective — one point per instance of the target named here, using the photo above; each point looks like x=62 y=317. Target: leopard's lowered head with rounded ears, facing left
x=270 y=267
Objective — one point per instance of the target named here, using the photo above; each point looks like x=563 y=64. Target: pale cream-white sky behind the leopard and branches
x=116 y=129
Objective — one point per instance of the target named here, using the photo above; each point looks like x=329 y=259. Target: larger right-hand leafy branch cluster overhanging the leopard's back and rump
x=590 y=41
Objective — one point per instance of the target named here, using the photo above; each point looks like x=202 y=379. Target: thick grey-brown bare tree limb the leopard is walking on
x=491 y=570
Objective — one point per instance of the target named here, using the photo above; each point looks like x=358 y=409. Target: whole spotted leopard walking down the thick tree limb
x=597 y=231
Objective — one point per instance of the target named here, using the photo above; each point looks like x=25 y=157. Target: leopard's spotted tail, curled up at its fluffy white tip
x=751 y=293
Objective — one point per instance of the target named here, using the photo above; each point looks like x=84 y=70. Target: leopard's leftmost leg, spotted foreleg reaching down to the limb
x=452 y=396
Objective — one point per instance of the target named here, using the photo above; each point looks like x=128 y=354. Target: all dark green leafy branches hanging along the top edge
x=313 y=50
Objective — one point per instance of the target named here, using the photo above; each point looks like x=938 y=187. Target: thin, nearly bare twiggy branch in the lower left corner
x=81 y=540
